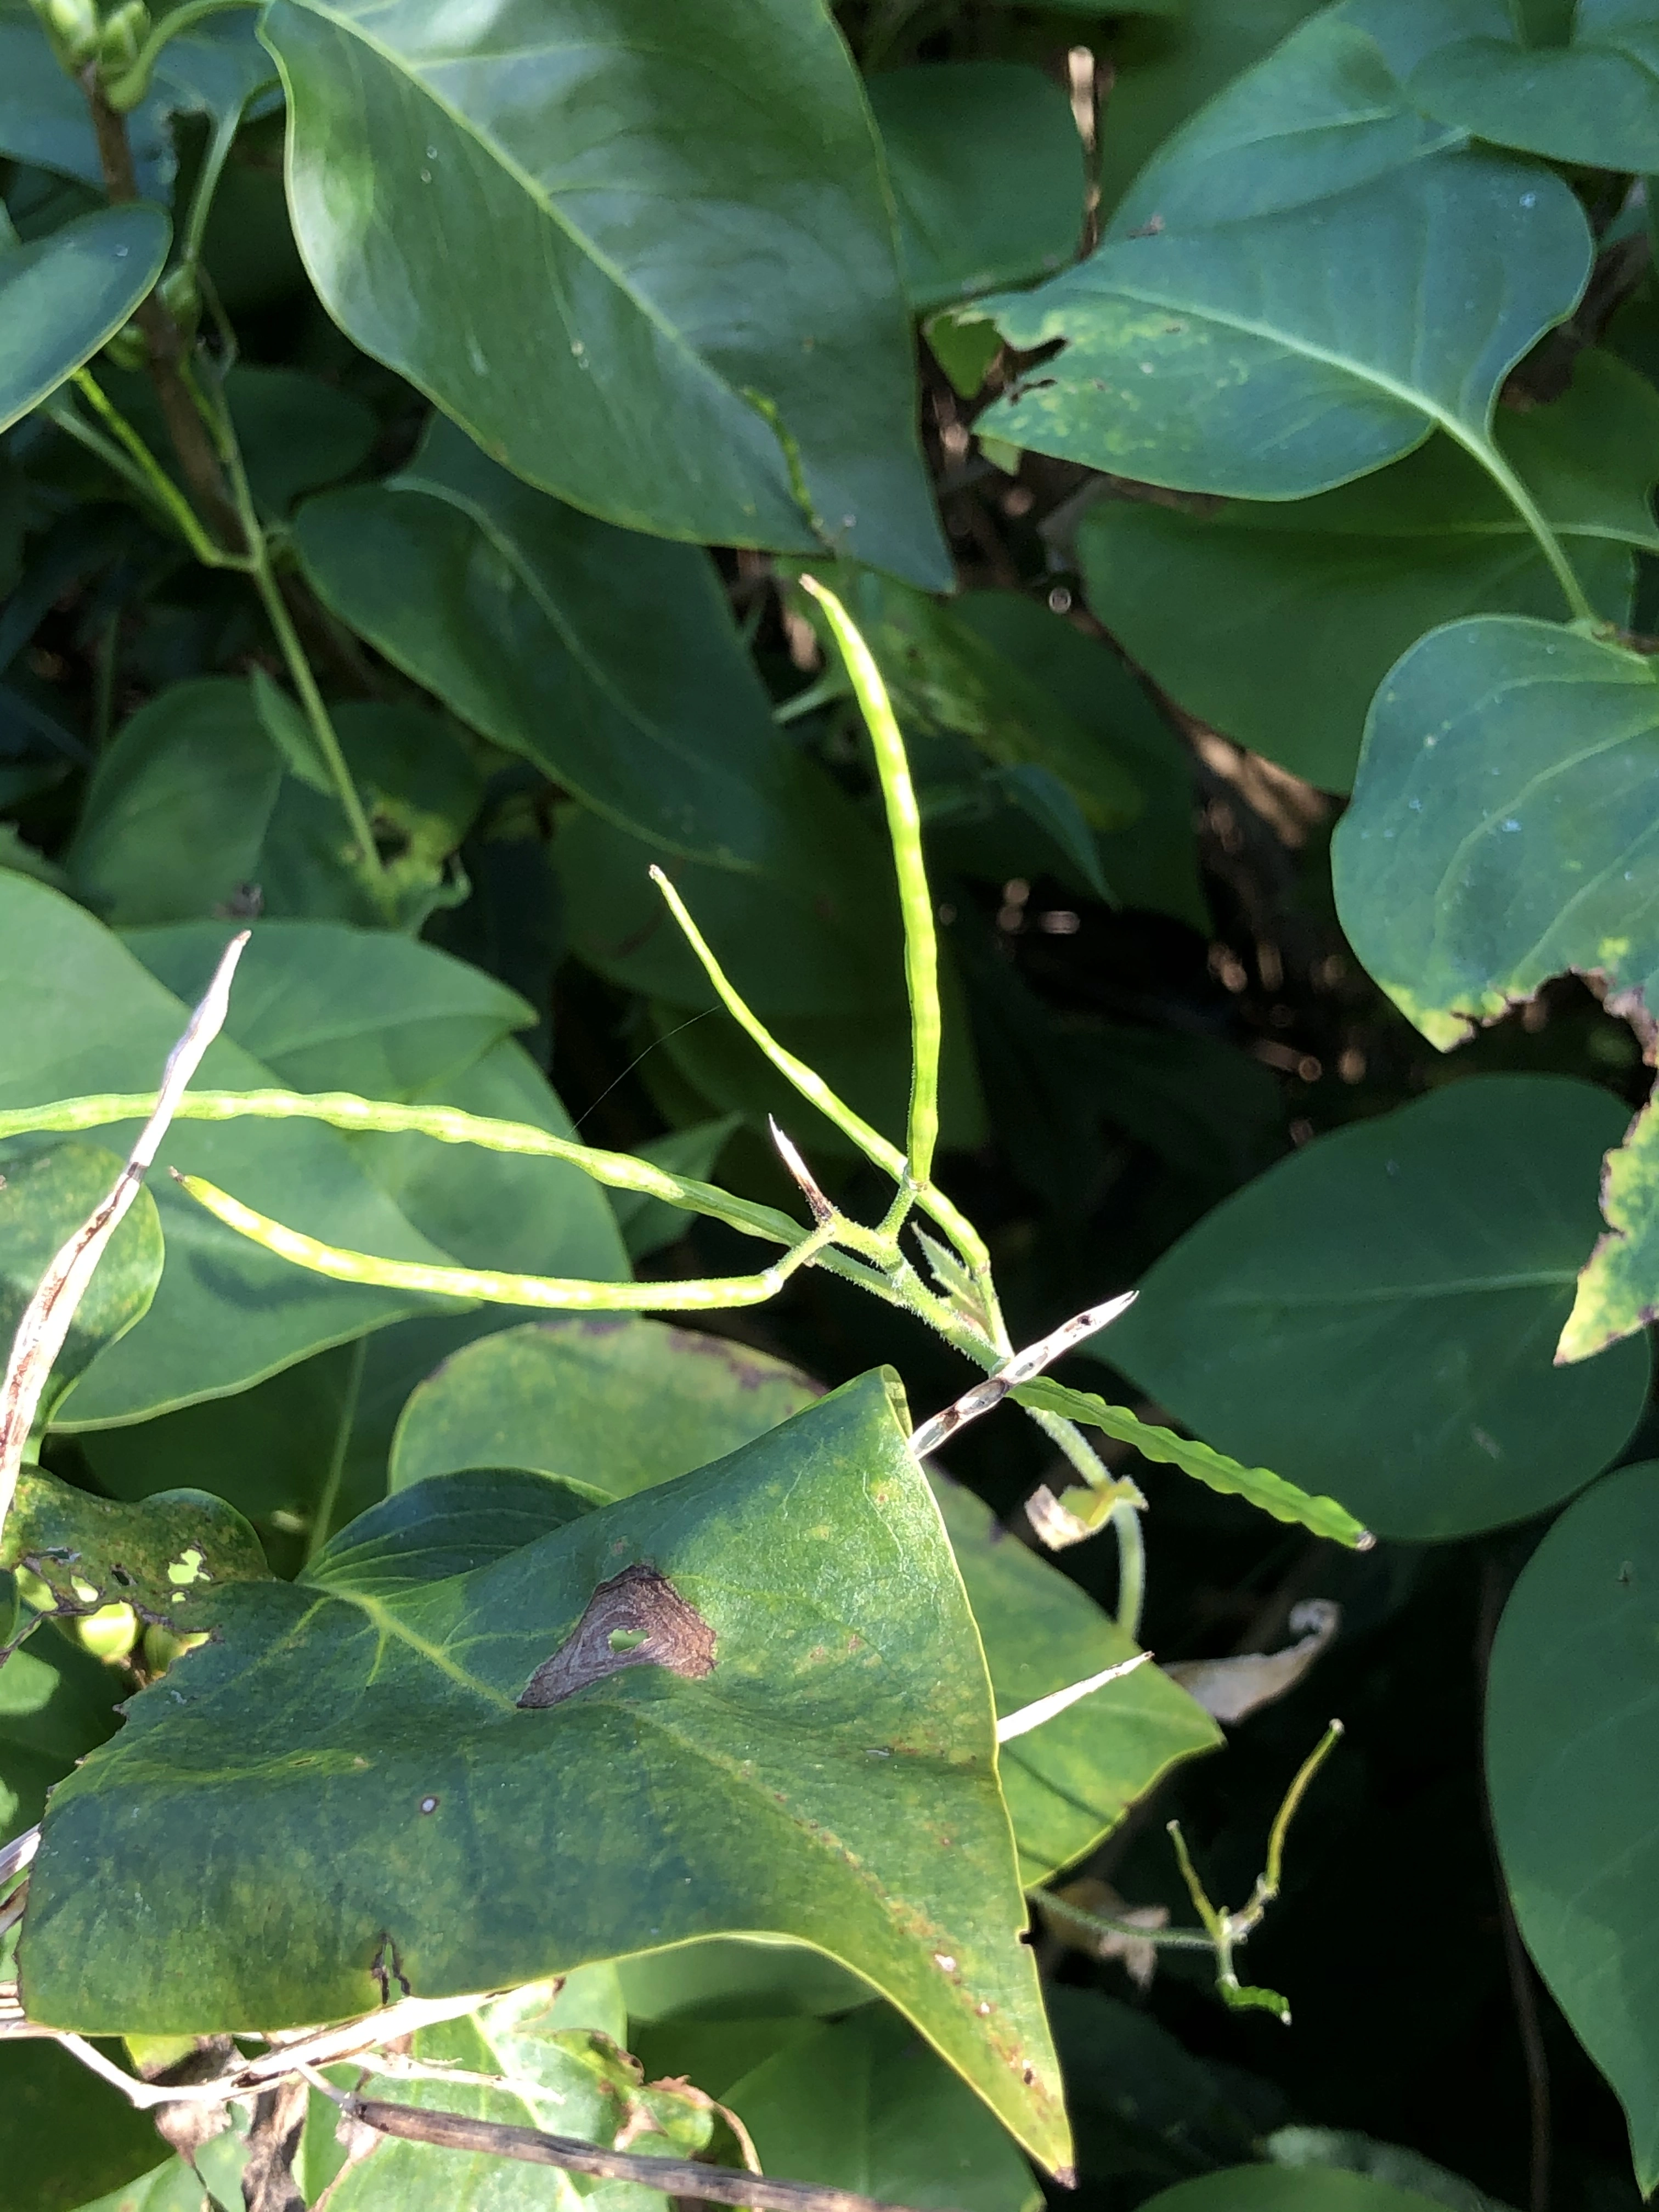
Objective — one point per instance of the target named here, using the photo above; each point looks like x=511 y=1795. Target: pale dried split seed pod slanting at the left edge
x=48 y=1317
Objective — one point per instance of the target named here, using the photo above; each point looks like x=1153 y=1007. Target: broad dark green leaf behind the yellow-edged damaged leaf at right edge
x=1377 y=1315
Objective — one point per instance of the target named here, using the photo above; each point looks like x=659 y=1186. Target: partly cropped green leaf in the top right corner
x=1594 y=101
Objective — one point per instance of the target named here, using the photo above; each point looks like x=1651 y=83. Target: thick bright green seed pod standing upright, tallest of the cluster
x=915 y=897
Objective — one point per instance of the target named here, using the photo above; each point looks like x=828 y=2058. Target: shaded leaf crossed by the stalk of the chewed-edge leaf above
x=1311 y=603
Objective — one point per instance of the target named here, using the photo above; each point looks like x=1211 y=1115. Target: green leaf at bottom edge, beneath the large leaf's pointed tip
x=857 y=2105
